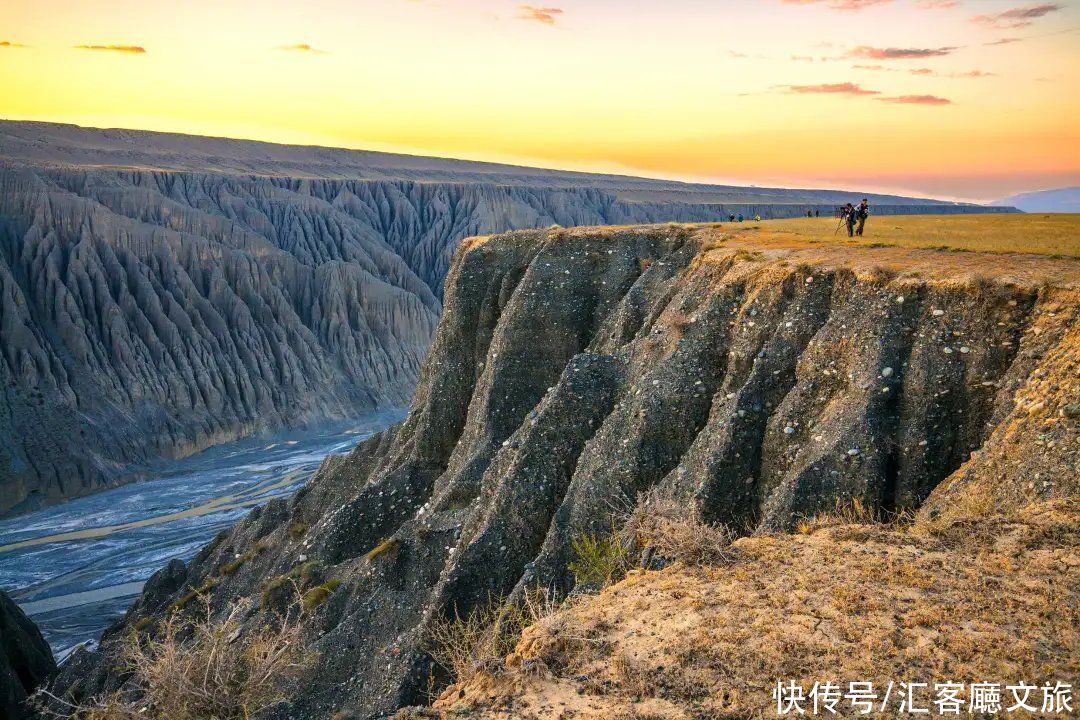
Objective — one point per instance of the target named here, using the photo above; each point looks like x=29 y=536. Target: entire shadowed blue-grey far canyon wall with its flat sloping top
x=164 y=293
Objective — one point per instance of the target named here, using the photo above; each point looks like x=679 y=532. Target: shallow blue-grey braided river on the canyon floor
x=77 y=567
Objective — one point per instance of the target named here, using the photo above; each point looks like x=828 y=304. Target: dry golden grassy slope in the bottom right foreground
x=865 y=602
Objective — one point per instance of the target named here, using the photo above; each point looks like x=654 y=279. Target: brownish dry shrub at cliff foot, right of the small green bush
x=674 y=529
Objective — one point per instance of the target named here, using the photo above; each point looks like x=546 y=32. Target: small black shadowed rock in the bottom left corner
x=25 y=660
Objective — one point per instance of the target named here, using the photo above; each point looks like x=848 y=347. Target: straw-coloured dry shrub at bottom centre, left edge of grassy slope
x=479 y=643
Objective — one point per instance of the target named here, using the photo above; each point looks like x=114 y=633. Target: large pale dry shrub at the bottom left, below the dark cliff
x=198 y=670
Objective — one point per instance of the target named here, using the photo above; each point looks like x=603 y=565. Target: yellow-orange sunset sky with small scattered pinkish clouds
x=970 y=100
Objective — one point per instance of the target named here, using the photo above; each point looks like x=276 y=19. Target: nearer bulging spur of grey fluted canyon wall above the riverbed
x=147 y=317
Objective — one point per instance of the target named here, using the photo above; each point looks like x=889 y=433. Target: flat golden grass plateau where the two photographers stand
x=1041 y=235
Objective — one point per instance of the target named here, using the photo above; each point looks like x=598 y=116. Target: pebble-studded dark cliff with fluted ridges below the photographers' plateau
x=574 y=370
